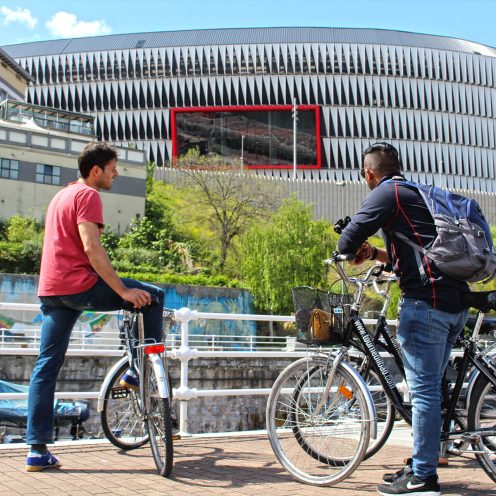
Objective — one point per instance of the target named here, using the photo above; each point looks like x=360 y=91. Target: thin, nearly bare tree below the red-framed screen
x=225 y=198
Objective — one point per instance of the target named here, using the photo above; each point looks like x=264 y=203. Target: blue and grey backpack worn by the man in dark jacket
x=463 y=247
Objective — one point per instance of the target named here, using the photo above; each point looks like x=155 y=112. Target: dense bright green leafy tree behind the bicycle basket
x=286 y=252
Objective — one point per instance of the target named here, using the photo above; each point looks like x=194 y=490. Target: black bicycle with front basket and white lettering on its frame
x=304 y=398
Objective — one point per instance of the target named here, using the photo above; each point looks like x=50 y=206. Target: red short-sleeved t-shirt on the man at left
x=65 y=267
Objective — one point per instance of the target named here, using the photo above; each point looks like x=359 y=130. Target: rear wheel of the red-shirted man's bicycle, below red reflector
x=158 y=420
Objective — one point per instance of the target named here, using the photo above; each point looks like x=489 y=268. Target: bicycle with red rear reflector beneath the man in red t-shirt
x=132 y=418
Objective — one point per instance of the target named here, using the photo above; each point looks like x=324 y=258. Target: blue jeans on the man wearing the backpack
x=427 y=337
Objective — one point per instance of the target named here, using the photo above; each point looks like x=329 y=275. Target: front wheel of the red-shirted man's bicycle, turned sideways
x=121 y=419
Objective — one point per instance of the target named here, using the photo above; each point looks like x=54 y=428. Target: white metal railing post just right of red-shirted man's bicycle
x=184 y=393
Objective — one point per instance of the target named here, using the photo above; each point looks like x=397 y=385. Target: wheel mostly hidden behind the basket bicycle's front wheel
x=385 y=411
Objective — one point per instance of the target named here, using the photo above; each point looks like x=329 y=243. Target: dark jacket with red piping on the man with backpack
x=394 y=207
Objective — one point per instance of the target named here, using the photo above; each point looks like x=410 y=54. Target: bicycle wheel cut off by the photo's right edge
x=482 y=414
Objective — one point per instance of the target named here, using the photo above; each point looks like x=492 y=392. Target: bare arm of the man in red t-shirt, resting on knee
x=90 y=237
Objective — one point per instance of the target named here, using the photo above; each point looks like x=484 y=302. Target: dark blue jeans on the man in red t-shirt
x=59 y=316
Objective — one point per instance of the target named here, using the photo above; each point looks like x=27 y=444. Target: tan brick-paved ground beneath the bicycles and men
x=210 y=466
